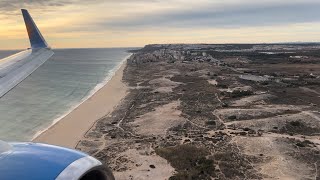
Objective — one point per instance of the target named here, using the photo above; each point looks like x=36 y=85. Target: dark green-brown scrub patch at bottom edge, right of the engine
x=189 y=161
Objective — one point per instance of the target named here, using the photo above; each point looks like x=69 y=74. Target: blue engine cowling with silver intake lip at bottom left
x=35 y=161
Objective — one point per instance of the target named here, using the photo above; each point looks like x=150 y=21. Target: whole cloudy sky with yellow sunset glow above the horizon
x=135 y=23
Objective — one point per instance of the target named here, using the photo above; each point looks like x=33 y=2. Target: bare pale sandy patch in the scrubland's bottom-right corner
x=279 y=163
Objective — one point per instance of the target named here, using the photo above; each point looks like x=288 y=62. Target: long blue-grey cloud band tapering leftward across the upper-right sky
x=230 y=16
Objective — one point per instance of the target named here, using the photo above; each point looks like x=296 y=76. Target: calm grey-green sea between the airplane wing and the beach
x=59 y=85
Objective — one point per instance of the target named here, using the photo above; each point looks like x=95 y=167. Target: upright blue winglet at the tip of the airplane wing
x=36 y=39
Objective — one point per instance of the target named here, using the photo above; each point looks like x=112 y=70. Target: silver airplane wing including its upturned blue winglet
x=17 y=67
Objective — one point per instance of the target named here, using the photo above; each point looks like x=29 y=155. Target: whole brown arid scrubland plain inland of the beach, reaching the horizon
x=214 y=112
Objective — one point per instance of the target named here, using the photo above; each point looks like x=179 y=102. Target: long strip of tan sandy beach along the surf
x=69 y=130
